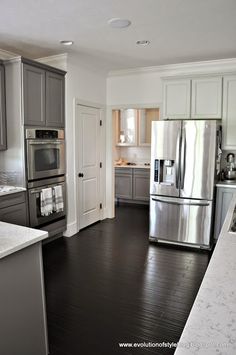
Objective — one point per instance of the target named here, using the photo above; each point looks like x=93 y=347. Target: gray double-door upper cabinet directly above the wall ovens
x=44 y=97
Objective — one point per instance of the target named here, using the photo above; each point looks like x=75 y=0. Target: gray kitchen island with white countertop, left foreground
x=22 y=300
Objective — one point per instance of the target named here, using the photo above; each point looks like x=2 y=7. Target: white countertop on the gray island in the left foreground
x=14 y=238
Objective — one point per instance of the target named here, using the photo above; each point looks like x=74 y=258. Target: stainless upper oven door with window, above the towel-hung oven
x=45 y=158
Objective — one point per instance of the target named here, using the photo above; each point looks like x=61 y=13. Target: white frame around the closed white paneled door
x=101 y=108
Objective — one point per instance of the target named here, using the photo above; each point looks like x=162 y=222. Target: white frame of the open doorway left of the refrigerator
x=110 y=139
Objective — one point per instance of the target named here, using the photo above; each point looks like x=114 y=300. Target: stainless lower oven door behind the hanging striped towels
x=36 y=219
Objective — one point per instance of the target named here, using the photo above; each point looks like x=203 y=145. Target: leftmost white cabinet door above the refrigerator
x=176 y=99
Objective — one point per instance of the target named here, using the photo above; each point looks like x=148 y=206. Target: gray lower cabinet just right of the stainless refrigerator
x=223 y=198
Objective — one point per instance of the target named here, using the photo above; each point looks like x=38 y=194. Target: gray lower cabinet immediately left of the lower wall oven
x=13 y=209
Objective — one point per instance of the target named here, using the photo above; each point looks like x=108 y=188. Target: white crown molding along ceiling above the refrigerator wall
x=203 y=67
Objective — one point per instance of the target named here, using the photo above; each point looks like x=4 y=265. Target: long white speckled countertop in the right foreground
x=211 y=325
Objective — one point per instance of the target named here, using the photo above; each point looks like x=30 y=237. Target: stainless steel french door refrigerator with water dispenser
x=183 y=169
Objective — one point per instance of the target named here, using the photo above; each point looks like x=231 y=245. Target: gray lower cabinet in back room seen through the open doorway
x=132 y=184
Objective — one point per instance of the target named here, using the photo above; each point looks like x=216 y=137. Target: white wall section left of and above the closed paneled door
x=88 y=86
